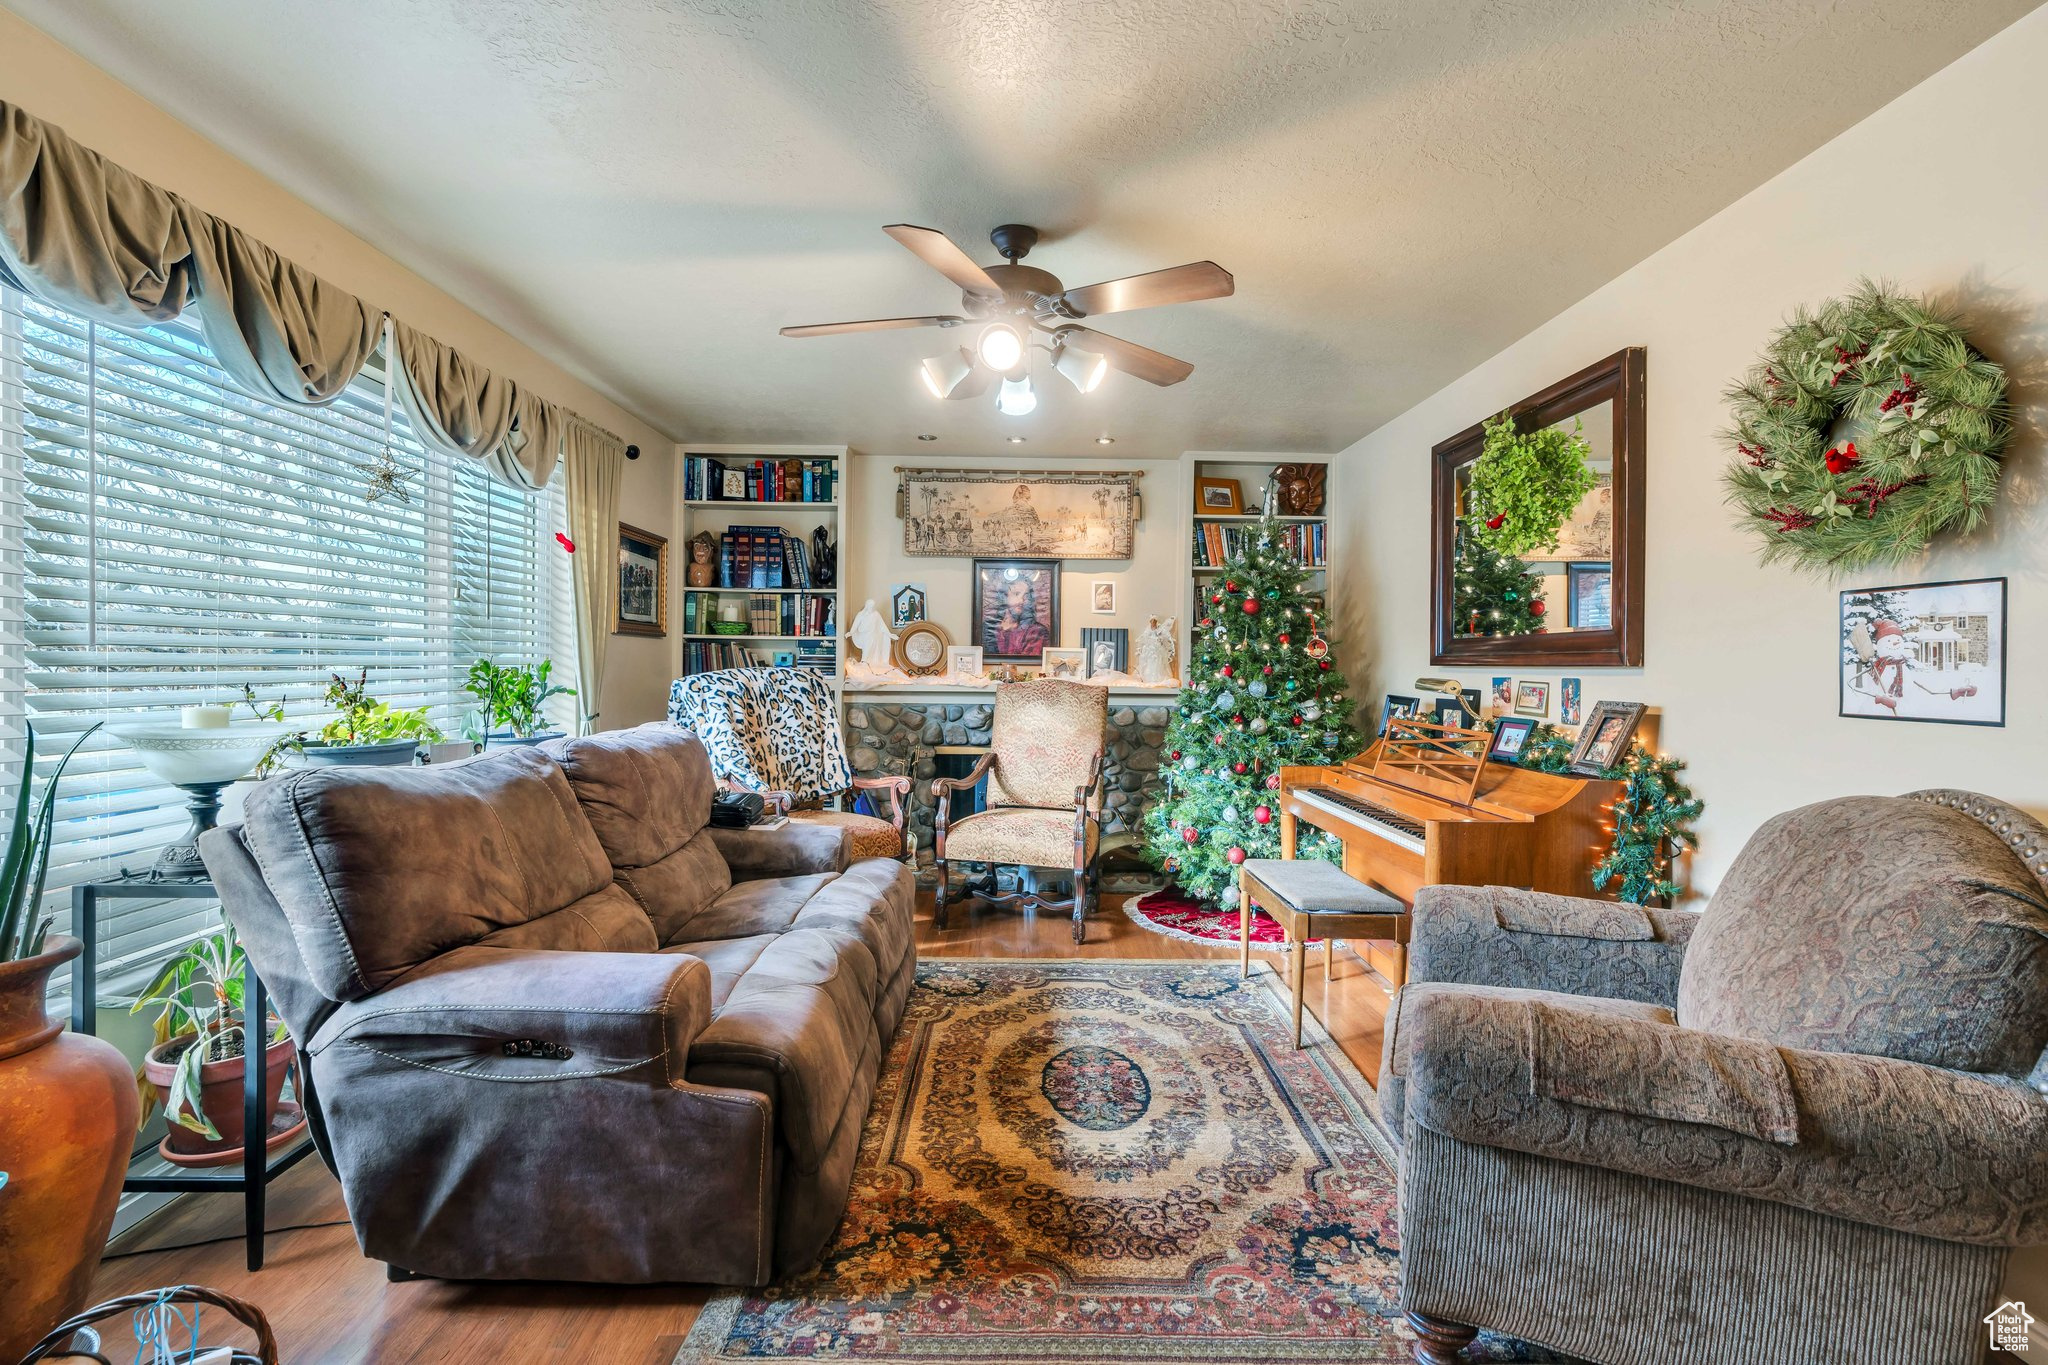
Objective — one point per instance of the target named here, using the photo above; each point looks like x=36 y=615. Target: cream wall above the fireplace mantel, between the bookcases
x=1148 y=584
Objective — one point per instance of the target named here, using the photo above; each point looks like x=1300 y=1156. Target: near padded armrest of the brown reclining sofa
x=499 y=1014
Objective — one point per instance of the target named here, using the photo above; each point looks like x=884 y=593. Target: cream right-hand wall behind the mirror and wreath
x=1947 y=193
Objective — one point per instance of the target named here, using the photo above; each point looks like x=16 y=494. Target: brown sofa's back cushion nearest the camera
x=384 y=869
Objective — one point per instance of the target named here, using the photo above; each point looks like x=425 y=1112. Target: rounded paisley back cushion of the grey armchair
x=1879 y=926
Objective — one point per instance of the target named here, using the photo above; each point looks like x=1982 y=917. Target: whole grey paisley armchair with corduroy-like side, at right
x=1801 y=1127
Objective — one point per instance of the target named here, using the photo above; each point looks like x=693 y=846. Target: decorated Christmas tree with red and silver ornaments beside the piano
x=1263 y=691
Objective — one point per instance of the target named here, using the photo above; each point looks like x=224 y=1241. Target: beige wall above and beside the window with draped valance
x=58 y=85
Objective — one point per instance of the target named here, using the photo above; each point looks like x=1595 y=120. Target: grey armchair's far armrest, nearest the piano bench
x=1498 y=936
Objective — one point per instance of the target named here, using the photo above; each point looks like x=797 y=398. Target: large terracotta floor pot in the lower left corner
x=69 y=1120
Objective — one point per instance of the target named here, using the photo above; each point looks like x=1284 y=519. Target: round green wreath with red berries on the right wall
x=1924 y=419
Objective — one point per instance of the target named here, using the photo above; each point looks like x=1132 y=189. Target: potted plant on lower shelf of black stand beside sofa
x=202 y=1047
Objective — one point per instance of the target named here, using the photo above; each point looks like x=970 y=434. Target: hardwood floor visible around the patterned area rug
x=329 y=1305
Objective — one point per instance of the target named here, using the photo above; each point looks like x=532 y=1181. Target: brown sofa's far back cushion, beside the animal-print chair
x=648 y=797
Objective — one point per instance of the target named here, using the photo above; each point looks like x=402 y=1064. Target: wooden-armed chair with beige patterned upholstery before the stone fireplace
x=1046 y=797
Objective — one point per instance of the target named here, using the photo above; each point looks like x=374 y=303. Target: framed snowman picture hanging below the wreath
x=1924 y=652
